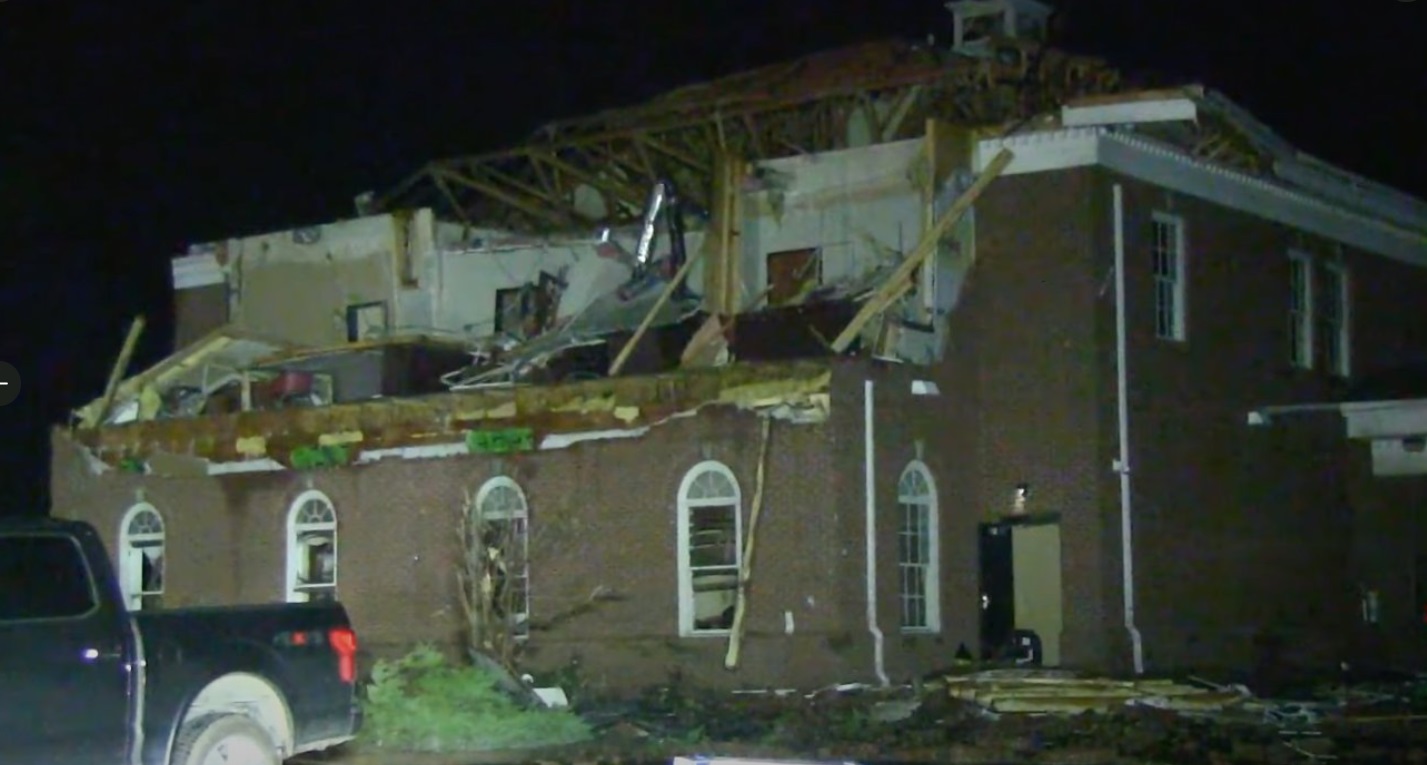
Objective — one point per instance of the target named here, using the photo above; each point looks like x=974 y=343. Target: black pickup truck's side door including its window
x=65 y=691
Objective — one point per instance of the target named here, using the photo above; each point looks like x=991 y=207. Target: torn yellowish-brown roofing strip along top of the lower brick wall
x=340 y=433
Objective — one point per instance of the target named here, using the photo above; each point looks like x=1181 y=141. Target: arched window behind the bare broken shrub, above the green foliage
x=504 y=537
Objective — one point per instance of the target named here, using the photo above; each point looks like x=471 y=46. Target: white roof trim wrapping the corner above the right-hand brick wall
x=1169 y=168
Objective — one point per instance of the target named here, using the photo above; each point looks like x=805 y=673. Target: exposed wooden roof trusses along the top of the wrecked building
x=599 y=169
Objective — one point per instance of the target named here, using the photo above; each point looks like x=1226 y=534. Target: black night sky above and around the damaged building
x=132 y=129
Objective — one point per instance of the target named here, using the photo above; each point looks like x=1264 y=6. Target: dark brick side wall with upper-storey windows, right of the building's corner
x=1241 y=530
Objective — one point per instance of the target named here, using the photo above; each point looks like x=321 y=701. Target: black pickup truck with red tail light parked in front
x=85 y=682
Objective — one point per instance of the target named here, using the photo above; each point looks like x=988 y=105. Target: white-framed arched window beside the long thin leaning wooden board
x=711 y=549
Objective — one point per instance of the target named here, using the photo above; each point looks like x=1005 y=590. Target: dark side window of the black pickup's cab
x=44 y=577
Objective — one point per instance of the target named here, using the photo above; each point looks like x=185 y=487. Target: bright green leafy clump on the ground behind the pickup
x=422 y=703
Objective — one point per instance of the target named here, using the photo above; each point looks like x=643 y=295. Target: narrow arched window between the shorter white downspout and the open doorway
x=918 y=550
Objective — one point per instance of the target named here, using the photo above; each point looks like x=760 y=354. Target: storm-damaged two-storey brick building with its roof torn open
x=910 y=349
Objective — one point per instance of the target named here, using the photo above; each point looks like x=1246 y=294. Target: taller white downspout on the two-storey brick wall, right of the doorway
x=1122 y=466
